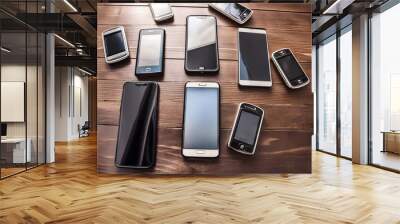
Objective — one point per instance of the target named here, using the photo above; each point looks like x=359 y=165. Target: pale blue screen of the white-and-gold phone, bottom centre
x=201 y=122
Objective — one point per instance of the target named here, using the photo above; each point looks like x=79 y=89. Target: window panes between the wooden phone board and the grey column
x=334 y=94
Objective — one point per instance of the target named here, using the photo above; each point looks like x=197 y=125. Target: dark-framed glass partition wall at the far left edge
x=22 y=77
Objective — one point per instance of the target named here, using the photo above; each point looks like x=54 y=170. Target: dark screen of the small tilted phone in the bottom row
x=247 y=127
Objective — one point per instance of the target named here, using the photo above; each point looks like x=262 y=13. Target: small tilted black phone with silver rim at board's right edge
x=290 y=69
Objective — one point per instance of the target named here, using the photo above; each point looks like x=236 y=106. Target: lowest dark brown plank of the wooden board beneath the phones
x=170 y=161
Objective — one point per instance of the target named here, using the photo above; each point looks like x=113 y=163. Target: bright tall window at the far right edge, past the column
x=385 y=89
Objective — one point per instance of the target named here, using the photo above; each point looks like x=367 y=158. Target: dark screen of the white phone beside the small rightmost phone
x=253 y=57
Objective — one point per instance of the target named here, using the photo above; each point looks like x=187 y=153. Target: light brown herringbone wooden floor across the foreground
x=70 y=191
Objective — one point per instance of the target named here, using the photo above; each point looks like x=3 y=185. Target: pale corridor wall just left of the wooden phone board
x=70 y=83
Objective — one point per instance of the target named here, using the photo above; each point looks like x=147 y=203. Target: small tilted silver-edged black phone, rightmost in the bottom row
x=246 y=129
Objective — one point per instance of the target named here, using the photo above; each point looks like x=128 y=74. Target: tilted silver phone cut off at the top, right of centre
x=235 y=11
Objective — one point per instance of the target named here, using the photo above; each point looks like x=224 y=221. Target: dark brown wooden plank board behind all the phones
x=285 y=141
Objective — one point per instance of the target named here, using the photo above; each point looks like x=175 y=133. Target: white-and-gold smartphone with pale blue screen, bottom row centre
x=201 y=120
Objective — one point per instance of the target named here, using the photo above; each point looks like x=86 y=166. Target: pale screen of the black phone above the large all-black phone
x=150 y=50
